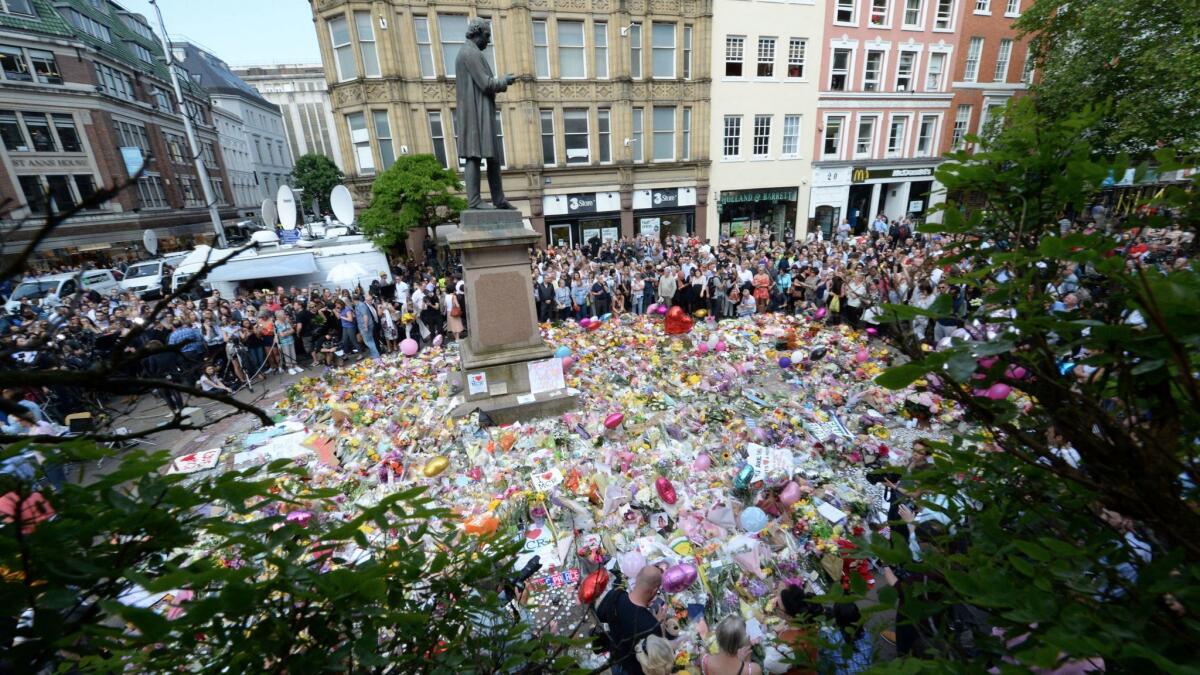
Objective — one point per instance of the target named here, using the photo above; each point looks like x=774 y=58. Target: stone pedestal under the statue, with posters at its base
x=502 y=321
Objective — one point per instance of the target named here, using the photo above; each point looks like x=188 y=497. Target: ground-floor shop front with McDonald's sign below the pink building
x=857 y=194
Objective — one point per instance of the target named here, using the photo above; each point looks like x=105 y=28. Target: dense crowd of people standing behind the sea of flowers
x=227 y=344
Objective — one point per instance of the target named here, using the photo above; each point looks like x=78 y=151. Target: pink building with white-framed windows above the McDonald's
x=885 y=100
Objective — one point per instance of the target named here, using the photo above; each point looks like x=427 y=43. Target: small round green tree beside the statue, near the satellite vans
x=417 y=192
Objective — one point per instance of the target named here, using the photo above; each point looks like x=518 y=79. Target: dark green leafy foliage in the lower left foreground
x=257 y=582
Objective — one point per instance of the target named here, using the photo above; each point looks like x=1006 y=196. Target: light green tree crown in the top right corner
x=1138 y=58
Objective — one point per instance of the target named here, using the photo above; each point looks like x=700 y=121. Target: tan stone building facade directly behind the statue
x=587 y=69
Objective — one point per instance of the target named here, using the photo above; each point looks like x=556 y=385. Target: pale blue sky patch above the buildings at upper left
x=242 y=33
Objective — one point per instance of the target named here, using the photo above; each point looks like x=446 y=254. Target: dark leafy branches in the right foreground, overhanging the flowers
x=1096 y=558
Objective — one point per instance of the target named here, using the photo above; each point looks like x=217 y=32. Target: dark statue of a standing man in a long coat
x=477 y=91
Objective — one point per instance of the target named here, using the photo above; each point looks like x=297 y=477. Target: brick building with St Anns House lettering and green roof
x=85 y=100
